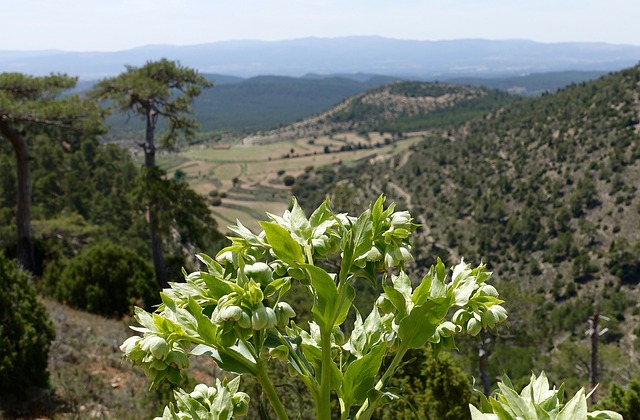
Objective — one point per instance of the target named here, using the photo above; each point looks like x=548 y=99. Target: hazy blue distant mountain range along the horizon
x=399 y=58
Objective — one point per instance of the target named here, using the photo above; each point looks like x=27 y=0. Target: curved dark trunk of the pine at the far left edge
x=25 y=248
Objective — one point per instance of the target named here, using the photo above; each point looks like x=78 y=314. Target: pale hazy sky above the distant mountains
x=112 y=25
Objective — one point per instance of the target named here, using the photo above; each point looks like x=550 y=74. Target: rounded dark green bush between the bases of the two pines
x=105 y=279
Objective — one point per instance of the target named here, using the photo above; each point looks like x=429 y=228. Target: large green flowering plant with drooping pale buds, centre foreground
x=236 y=313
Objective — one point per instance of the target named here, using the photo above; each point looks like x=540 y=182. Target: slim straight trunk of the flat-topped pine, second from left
x=159 y=264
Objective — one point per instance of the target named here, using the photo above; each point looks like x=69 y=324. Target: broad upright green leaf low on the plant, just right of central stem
x=360 y=376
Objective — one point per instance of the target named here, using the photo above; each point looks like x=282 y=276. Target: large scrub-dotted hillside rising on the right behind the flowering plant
x=545 y=191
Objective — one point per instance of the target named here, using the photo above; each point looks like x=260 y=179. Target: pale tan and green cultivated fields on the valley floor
x=259 y=169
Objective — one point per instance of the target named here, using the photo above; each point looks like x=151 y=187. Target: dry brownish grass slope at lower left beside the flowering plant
x=89 y=378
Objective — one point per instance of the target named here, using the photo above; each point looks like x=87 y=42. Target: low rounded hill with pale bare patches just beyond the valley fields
x=398 y=106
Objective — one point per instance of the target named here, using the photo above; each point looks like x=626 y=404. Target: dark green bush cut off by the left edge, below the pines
x=25 y=335
